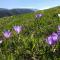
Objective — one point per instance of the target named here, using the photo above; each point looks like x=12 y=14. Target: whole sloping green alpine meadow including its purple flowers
x=31 y=36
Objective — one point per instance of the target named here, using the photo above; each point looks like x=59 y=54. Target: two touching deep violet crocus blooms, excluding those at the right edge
x=52 y=39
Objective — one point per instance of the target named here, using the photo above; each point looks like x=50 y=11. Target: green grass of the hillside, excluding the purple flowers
x=30 y=43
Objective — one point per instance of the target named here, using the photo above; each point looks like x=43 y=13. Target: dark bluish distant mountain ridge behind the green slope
x=7 y=12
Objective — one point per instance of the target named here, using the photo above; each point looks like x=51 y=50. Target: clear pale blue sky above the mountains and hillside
x=34 y=4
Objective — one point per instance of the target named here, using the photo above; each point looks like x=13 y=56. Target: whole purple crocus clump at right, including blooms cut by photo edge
x=54 y=37
